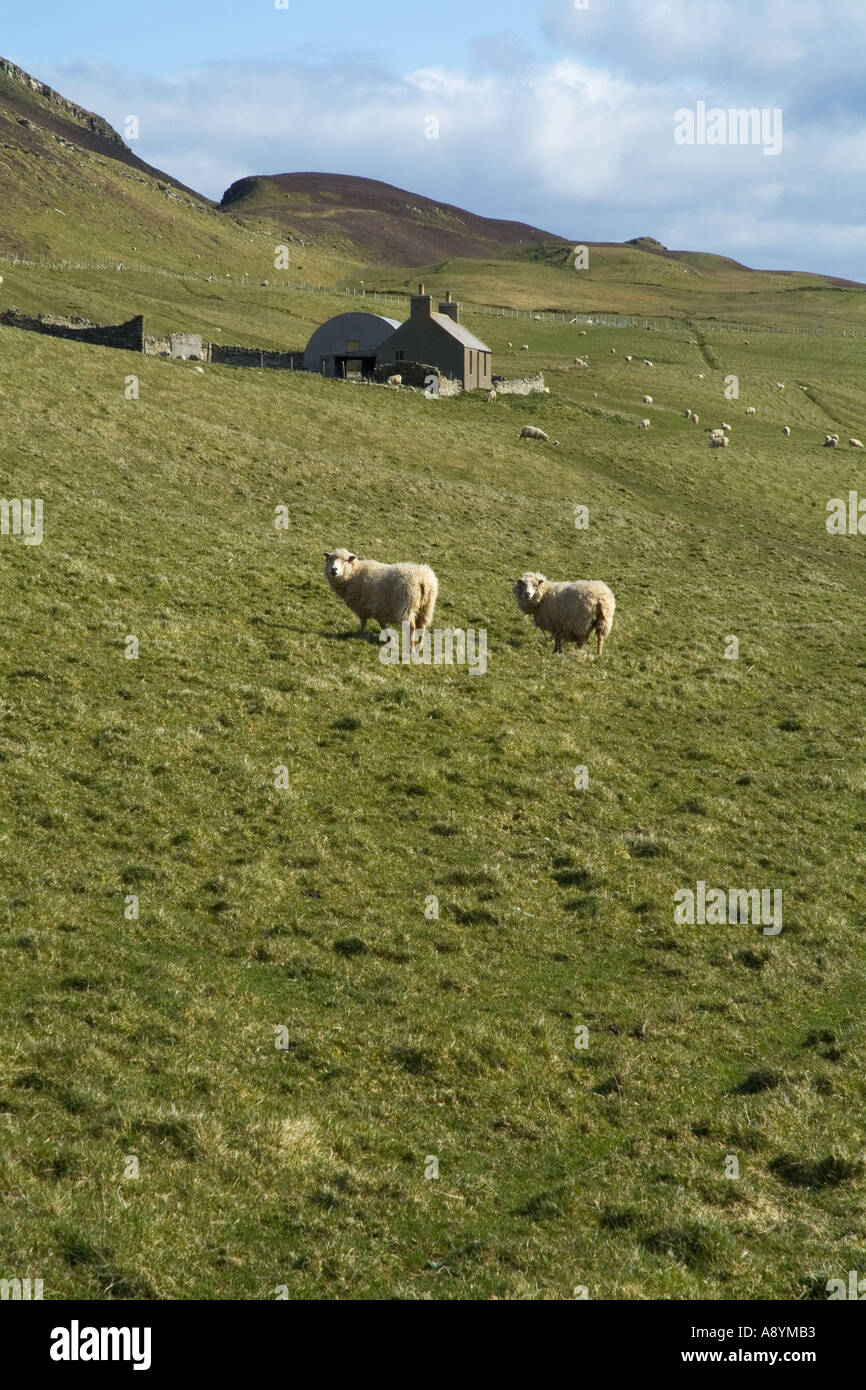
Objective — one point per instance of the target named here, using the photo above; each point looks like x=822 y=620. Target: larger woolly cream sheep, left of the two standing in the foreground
x=389 y=594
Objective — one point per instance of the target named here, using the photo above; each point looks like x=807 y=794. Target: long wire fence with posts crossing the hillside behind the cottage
x=395 y=298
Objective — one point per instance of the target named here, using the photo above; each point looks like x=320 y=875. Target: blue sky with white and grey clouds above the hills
x=547 y=113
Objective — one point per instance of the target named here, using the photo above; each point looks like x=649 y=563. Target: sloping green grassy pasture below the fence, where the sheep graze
x=411 y=1036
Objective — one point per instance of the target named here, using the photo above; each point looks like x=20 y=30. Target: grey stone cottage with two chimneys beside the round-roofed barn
x=440 y=341
